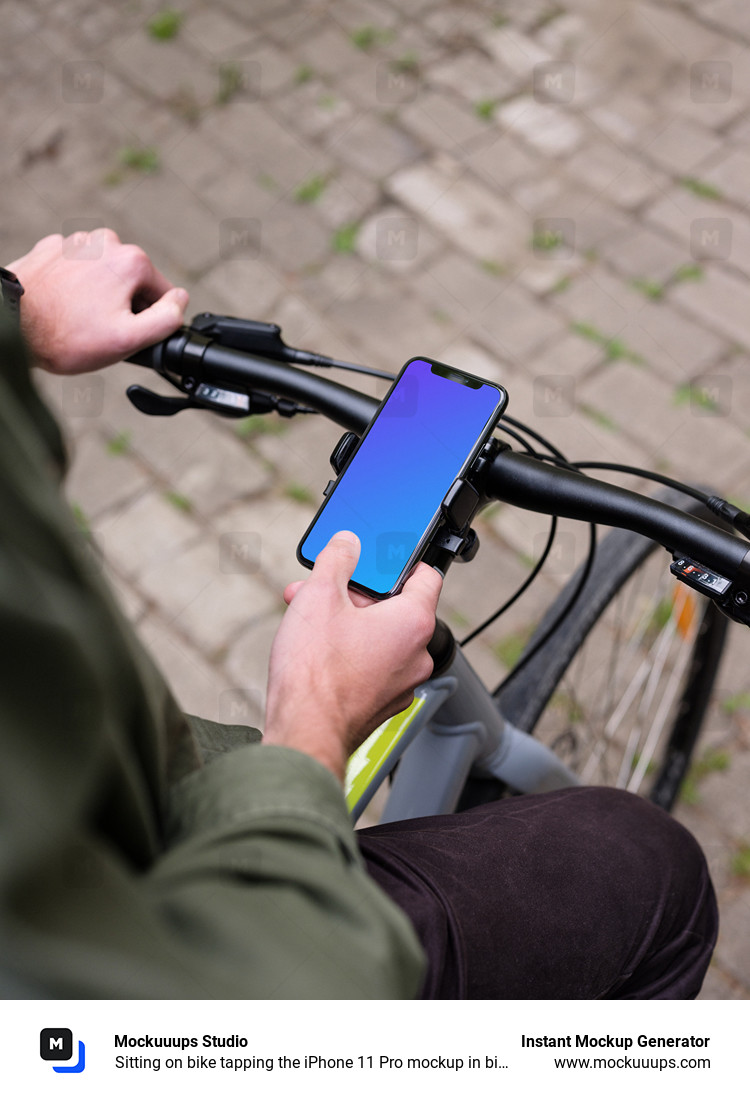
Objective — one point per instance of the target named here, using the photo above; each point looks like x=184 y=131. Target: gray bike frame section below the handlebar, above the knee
x=459 y=731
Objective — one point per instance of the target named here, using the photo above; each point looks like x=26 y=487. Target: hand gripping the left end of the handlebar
x=81 y=293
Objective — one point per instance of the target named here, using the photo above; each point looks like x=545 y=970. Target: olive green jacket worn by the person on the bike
x=134 y=863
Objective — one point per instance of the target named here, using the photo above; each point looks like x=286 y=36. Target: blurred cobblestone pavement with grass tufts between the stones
x=552 y=193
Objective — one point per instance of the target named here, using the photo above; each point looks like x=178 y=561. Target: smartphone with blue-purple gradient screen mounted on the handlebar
x=429 y=430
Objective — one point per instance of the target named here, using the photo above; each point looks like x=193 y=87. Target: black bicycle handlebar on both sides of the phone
x=512 y=478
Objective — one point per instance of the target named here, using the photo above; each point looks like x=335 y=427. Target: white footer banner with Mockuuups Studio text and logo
x=277 y=1049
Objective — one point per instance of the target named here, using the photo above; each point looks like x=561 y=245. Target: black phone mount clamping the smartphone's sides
x=455 y=540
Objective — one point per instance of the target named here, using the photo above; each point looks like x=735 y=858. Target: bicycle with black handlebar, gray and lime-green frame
x=459 y=744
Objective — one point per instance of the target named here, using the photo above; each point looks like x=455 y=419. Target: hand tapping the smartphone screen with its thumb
x=343 y=664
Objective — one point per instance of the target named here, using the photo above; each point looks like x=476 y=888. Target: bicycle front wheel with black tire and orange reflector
x=622 y=689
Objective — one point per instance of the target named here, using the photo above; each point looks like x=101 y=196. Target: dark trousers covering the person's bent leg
x=581 y=894
